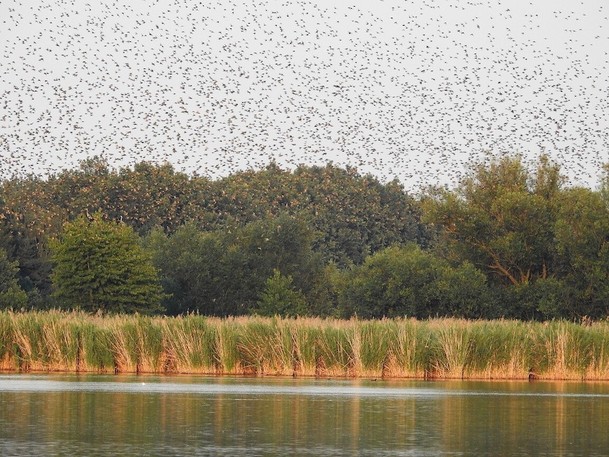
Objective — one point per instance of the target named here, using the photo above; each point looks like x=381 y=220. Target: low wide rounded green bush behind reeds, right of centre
x=406 y=281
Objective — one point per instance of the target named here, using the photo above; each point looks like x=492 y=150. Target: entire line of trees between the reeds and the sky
x=508 y=241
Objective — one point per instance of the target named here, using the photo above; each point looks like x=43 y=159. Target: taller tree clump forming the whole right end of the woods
x=542 y=245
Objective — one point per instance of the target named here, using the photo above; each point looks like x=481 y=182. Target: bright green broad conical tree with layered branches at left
x=100 y=265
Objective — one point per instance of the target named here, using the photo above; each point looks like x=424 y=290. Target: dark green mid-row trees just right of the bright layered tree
x=224 y=273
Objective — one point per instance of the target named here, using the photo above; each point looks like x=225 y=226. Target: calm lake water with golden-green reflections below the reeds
x=190 y=416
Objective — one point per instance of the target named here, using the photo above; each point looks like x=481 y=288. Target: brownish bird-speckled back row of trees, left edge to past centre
x=353 y=215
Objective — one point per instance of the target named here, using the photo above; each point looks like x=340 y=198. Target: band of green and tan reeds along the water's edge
x=389 y=348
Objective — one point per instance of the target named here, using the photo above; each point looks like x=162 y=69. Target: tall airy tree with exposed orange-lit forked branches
x=501 y=219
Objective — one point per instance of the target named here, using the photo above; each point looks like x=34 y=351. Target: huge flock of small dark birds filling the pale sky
x=415 y=90
